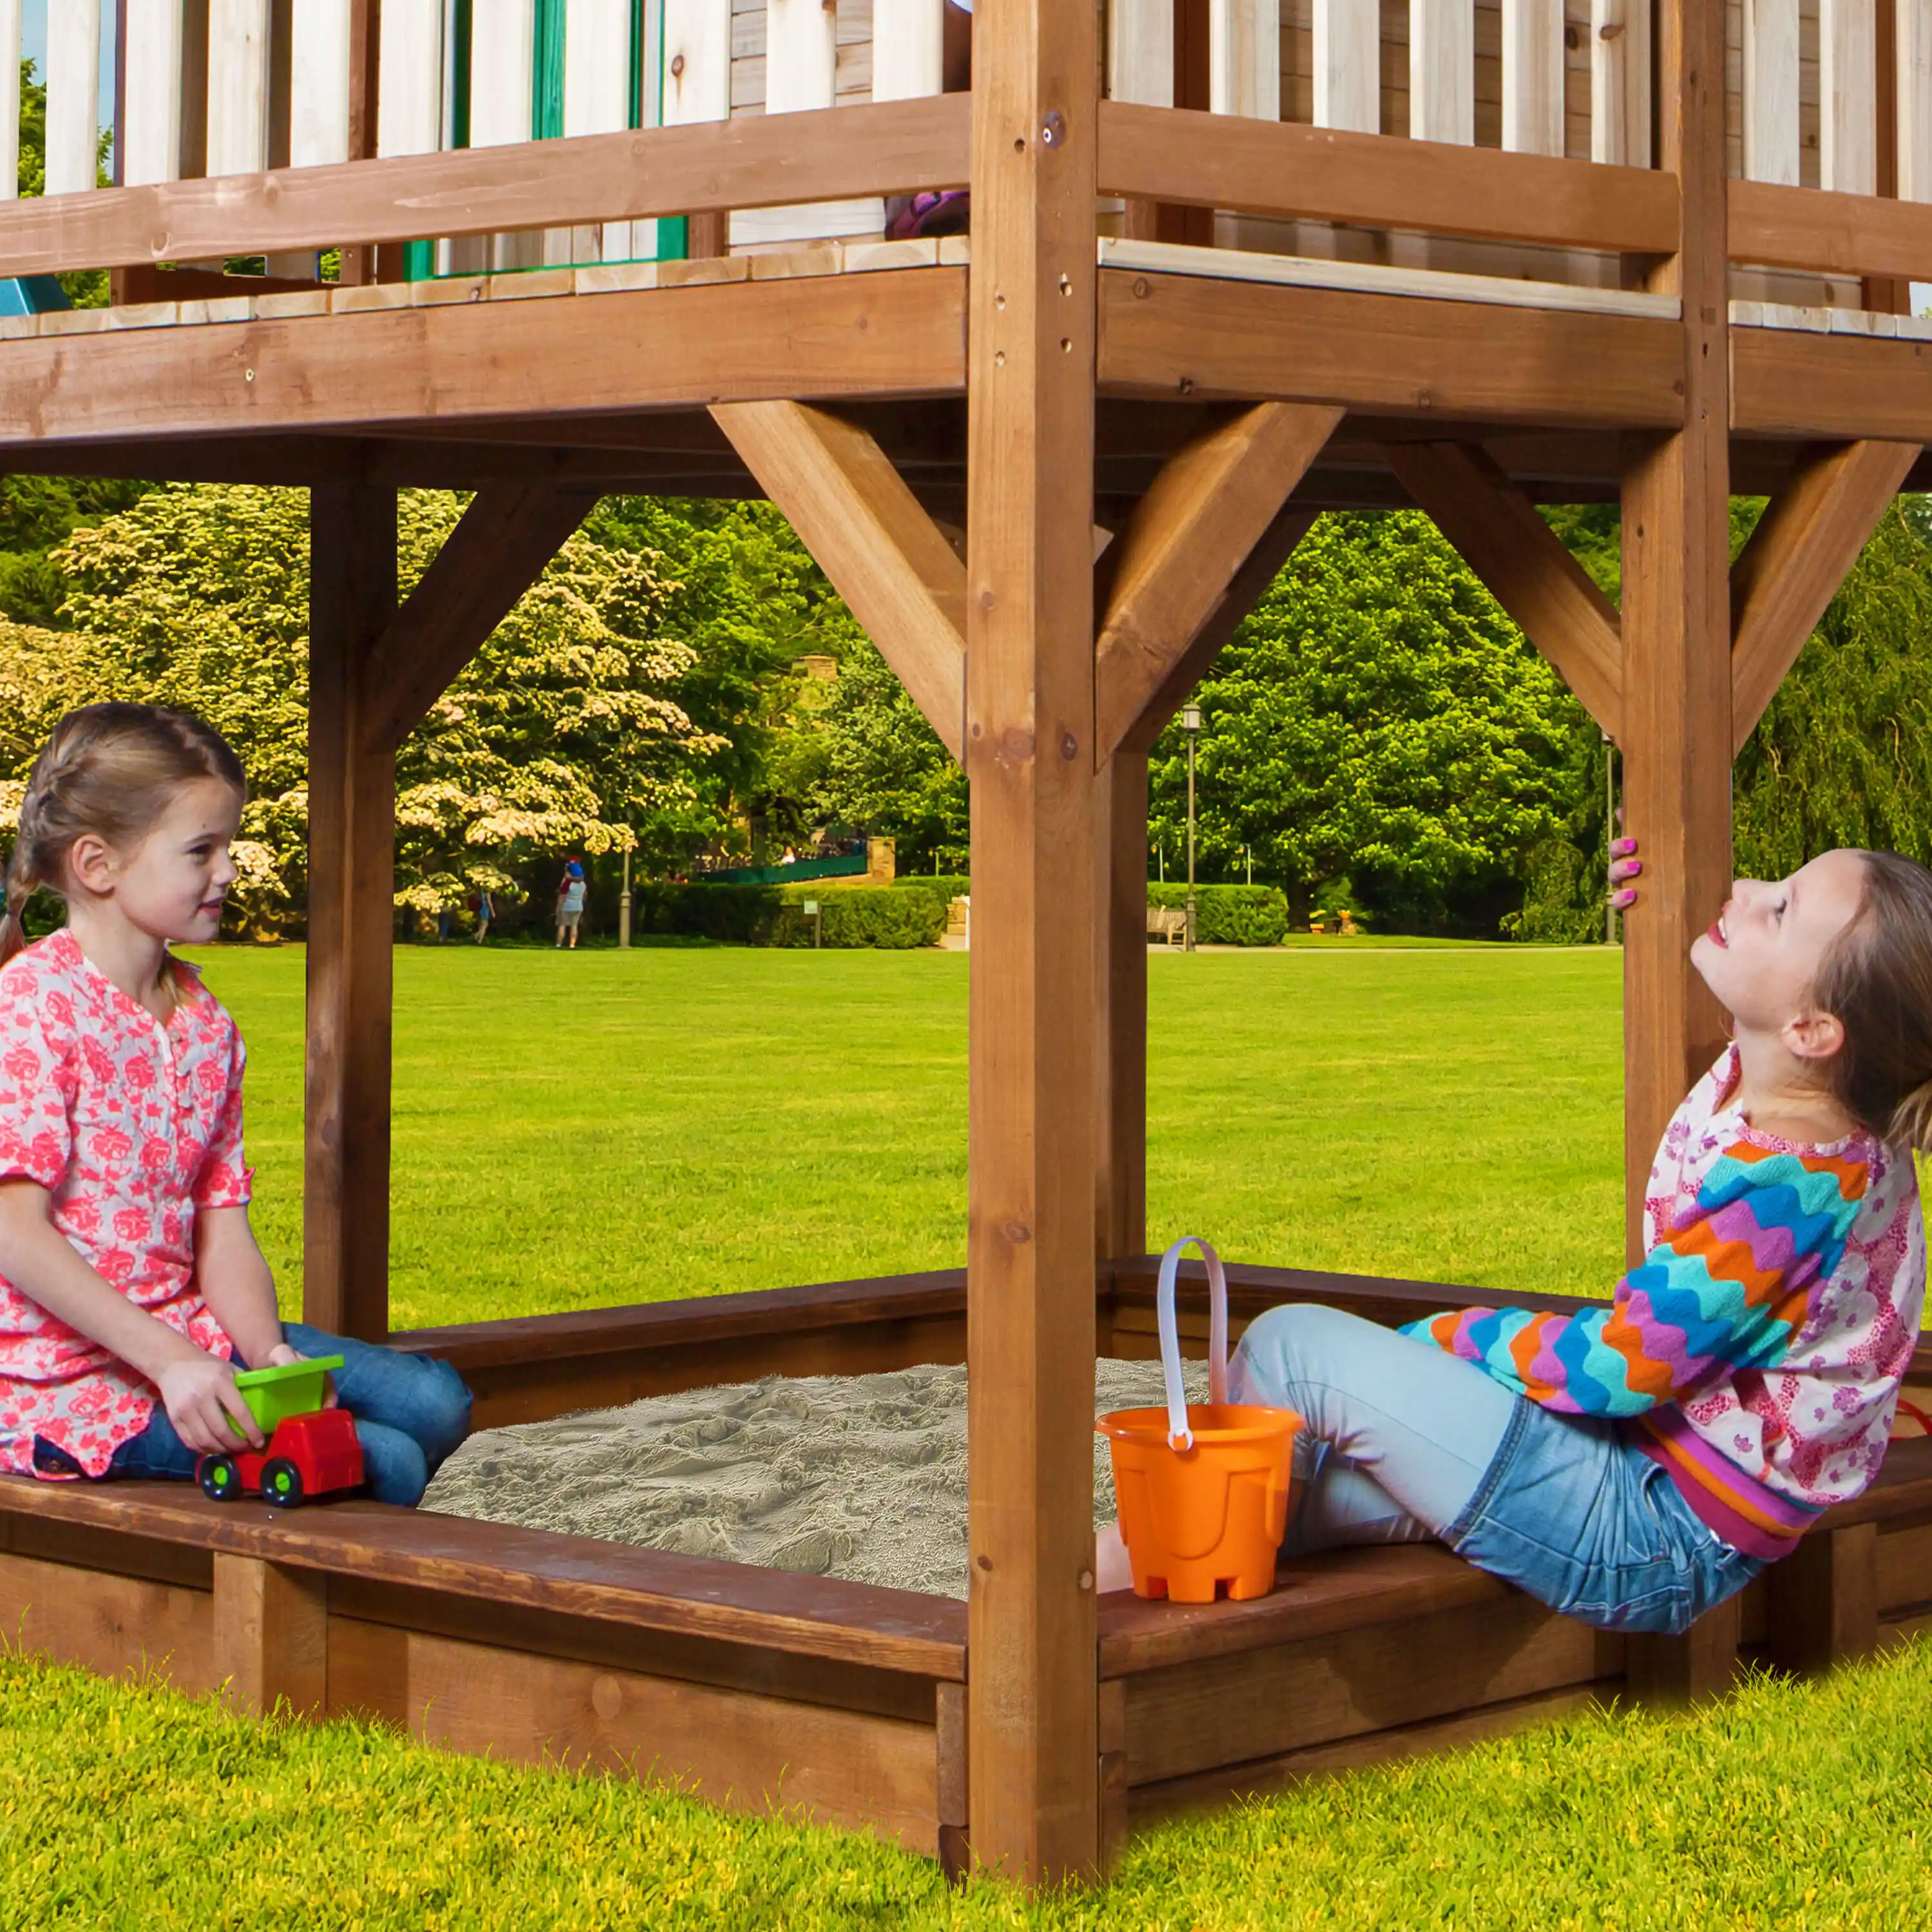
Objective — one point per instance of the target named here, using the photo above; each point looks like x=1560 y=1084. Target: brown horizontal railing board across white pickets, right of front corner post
x=1266 y=167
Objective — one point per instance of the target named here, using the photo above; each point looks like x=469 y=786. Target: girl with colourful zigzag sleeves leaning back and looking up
x=1639 y=1463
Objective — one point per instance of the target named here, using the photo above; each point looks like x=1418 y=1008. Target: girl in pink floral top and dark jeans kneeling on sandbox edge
x=130 y=1280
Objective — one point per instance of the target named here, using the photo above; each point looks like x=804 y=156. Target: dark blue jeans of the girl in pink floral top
x=411 y=1415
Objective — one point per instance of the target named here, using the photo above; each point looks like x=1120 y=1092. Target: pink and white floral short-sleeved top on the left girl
x=132 y=1127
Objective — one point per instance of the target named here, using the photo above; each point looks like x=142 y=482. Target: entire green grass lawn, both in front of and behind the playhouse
x=610 y=1127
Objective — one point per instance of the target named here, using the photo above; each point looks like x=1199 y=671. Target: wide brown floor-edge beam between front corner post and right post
x=1189 y=337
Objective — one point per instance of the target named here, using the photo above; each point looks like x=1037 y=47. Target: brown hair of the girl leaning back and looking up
x=1877 y=979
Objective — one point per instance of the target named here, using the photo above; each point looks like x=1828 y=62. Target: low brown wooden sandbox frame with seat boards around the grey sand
x=841 y=1701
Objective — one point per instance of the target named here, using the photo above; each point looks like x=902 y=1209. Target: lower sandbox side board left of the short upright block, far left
x=113 y=1626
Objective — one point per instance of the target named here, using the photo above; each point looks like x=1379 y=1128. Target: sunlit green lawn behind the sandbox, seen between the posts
x=610 y=1127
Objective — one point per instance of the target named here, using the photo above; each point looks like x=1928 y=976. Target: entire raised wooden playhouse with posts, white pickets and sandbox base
x=1230 y=264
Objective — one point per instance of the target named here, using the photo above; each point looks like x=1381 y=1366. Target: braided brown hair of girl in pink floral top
x=111 y=772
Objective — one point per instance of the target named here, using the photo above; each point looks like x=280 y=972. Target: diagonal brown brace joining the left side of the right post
x=1525 y=567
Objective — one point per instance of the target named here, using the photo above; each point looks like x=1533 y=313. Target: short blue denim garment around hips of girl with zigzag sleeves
x=1576 y=1514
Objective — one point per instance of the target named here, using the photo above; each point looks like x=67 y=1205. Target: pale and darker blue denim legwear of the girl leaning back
x=1407 y=1444
